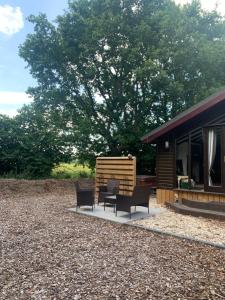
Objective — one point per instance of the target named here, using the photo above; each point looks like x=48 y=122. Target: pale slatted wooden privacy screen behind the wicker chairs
x=121 y=168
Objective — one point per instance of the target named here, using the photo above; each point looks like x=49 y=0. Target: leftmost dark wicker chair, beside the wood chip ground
x=85 y=196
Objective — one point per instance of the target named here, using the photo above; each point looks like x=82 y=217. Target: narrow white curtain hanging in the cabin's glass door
x=211 y=152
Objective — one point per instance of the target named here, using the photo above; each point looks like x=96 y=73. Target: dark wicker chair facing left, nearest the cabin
x=140 y=197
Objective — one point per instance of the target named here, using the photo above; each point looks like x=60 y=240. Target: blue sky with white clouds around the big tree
x=14 y=76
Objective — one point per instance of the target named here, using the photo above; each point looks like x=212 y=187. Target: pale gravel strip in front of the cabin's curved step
x=212 y=231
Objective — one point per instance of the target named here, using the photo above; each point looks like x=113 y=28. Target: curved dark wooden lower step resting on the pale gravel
x=181 y=208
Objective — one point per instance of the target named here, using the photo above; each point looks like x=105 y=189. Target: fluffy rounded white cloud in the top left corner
x=11 y=19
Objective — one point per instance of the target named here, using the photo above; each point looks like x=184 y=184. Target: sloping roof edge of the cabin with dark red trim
x=184 y=116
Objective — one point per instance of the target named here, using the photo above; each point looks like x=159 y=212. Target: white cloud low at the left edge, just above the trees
x=10 y=102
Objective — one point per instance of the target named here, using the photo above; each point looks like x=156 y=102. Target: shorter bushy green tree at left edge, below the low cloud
x=30 y=145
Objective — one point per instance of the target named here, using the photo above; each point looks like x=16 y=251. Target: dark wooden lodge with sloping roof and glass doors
x=190 y=160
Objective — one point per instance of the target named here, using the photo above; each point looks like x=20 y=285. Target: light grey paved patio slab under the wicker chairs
x=122 y=217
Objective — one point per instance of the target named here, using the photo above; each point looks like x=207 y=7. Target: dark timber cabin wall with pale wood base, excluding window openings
x=166 y=159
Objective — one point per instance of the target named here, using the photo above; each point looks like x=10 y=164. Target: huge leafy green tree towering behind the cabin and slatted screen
x=111 y=70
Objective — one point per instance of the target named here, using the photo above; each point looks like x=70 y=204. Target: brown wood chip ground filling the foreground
x=51 y=253
